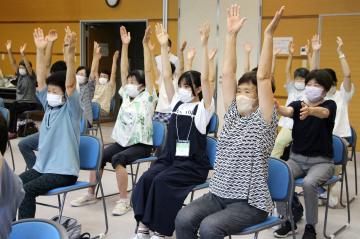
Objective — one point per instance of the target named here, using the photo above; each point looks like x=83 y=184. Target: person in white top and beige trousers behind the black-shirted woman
x=294 y=86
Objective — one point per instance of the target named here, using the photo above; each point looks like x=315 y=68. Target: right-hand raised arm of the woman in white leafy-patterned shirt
x=147 y=61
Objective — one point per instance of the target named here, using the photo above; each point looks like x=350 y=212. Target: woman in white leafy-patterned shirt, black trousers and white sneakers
x=133 y=128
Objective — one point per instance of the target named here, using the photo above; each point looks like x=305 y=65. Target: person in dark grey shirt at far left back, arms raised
x=25 y=88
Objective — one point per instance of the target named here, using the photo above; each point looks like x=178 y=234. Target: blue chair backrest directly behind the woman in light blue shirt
x=90 y=152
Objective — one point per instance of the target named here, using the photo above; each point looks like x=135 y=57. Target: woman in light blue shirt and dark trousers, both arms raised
x=57 y=163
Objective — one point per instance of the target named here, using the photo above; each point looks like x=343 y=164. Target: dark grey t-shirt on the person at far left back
x=26 y=88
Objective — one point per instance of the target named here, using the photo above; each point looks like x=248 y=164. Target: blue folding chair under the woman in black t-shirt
x=340 y=158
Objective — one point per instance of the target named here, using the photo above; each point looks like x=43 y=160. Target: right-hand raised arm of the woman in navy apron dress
x=207 y=90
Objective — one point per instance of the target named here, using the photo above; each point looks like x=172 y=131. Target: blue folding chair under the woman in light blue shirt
x=90 y=159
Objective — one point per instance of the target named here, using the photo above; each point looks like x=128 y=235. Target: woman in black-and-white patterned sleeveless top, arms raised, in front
x=239 y=196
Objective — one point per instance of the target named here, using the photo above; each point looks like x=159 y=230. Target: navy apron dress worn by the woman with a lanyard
x=161 y=191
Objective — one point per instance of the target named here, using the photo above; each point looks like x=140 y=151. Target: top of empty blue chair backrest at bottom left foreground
x=37 y=229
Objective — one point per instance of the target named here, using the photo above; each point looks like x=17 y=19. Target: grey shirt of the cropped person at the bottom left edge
x=11 y=196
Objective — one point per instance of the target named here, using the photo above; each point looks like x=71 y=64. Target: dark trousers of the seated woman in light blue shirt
x=36 y=184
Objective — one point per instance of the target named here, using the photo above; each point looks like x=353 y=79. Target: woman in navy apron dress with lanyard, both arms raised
x=161 y=191
